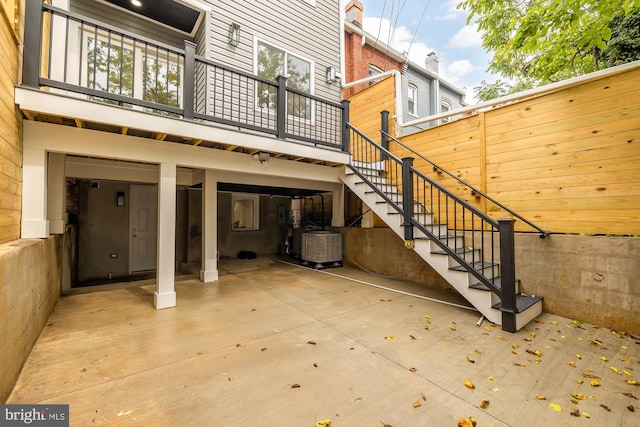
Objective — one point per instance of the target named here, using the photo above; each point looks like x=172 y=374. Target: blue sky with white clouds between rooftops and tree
x=439 y=28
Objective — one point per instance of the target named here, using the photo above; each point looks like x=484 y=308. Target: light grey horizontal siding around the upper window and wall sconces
x=312 y=32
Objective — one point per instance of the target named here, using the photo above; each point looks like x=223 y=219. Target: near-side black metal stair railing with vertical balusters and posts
x=446 y=219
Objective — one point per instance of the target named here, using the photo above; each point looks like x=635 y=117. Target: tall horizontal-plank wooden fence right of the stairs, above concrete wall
x=569 y=161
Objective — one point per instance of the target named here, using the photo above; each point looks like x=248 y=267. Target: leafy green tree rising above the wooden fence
x=536 y=42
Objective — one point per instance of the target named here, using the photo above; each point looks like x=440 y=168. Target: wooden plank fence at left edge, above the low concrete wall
x=10 y=127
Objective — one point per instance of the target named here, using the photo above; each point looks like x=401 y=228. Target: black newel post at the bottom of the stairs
x=508 y=273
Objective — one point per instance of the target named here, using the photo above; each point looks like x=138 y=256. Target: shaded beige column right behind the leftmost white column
x=56 y=186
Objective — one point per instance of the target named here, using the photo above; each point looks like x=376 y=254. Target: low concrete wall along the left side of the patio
x=30 y=280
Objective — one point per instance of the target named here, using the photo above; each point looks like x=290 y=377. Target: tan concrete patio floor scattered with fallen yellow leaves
x=274 y=344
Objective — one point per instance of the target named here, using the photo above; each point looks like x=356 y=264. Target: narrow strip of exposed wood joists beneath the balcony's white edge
x=179 y=137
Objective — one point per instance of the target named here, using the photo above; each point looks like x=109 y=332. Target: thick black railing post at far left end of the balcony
x=32 y=44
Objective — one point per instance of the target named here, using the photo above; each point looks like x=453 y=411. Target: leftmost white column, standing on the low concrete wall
x=34 y=194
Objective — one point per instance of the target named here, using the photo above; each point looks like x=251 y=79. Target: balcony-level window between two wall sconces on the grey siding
x=272 y=62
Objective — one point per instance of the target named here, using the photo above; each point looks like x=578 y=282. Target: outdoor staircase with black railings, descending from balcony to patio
x=472 y=251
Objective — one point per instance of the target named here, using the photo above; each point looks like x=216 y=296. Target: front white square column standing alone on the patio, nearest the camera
x=165 y=295
